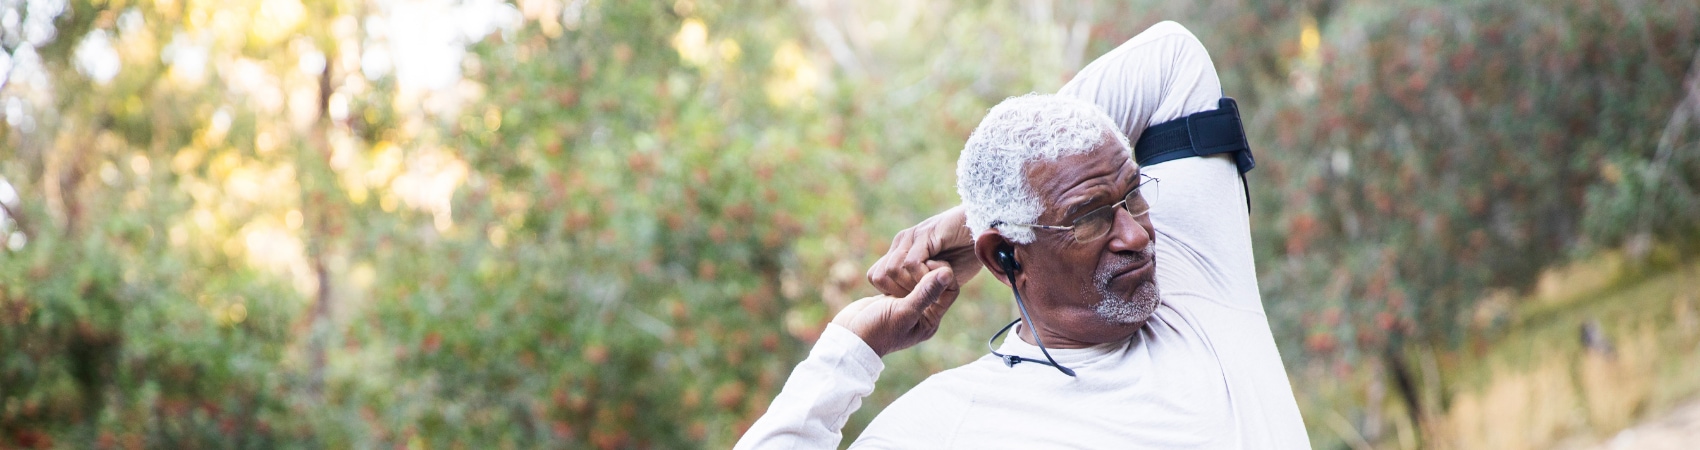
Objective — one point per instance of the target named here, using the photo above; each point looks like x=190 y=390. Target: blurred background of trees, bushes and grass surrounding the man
x=620 y=225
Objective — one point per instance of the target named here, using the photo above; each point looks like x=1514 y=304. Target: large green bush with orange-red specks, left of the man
x=657 y=233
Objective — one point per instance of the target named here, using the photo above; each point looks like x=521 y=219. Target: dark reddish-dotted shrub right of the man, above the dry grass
x=1444 y=150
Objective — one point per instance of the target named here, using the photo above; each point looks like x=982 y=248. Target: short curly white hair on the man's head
x=992 y=172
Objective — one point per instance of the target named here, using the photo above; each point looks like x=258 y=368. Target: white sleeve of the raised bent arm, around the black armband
x=1204 y=237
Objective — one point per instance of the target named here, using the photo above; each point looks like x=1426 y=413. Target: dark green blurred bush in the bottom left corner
x=111 y=337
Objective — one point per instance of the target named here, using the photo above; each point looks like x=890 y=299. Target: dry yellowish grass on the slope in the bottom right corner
x=1539 y=386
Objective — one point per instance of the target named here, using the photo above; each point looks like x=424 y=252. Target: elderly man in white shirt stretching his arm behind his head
x=1114 y=351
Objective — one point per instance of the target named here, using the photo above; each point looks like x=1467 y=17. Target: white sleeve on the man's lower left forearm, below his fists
x=820 y=397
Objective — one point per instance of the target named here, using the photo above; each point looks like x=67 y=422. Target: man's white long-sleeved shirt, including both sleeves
x=1204 y=371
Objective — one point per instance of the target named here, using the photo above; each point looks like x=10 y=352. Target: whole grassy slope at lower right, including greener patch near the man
x=1531 y=383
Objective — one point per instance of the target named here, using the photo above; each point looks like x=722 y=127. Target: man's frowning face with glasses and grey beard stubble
x=1089 y=291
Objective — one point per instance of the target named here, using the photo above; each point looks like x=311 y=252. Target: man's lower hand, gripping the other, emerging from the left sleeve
x=895 y=323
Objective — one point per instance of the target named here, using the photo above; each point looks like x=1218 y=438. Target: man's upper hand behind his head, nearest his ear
x=938 y=242
